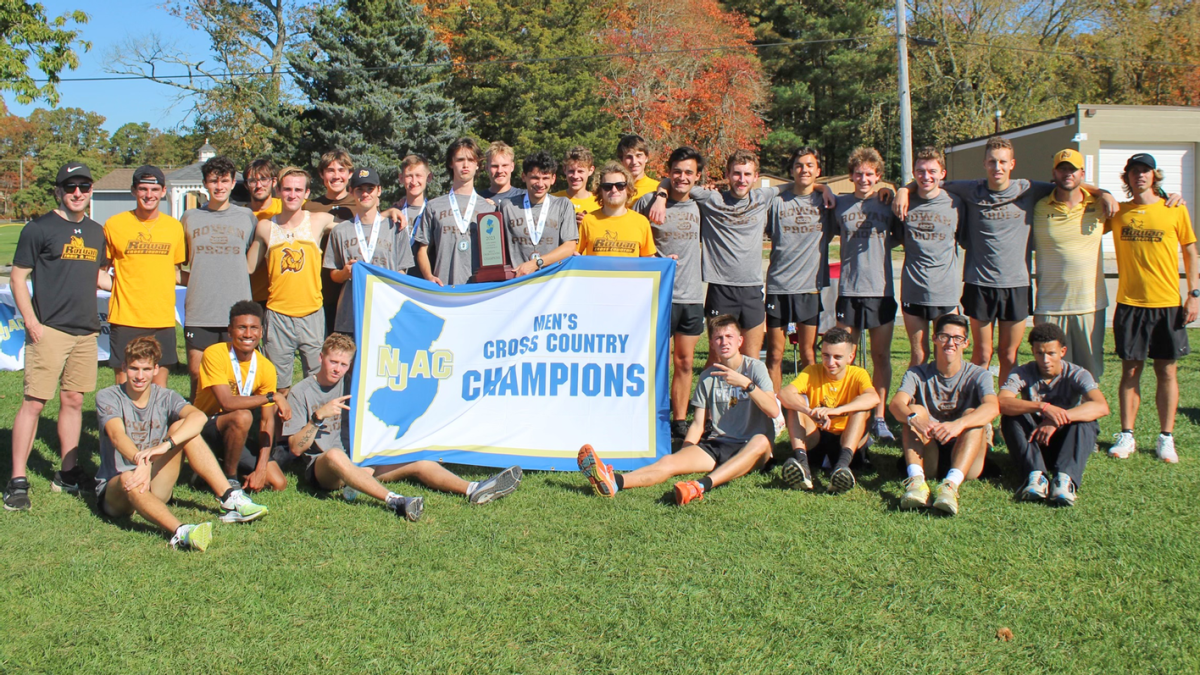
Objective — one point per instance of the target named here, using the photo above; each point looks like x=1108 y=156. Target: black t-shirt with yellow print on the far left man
x=65 y=259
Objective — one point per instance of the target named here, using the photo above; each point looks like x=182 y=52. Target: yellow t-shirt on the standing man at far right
x=1148 y=240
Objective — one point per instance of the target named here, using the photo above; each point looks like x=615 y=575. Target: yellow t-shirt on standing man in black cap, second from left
x=145 y=255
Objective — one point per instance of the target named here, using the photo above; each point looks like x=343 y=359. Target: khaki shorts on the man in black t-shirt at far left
x=59 y=359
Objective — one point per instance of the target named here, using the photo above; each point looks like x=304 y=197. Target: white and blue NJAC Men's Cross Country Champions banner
x=521 y=372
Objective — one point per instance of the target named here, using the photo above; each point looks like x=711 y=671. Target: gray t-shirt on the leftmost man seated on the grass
x=146 y=427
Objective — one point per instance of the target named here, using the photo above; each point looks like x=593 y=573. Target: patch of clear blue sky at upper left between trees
x=111 y=23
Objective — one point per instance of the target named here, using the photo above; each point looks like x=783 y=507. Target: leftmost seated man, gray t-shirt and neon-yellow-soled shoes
x=147 y=432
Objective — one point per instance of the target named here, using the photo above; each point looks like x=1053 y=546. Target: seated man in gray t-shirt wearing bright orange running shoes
x=735 y=395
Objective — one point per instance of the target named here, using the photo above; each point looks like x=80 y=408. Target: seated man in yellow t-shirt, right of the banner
x=829 y=409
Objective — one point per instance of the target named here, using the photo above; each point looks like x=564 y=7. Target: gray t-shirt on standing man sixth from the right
x=800 y=244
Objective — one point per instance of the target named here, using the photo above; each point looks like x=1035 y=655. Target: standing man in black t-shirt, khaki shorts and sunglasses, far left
x=62 y=254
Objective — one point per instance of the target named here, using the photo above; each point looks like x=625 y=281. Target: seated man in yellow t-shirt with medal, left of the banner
x=237 y=380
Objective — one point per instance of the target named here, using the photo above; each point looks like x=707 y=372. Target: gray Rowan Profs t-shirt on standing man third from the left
x=217 y=253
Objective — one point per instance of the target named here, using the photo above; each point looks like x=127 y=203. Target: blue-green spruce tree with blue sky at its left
x=368 y=91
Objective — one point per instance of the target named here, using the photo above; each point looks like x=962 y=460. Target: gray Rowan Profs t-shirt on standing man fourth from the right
x=929 y=234
